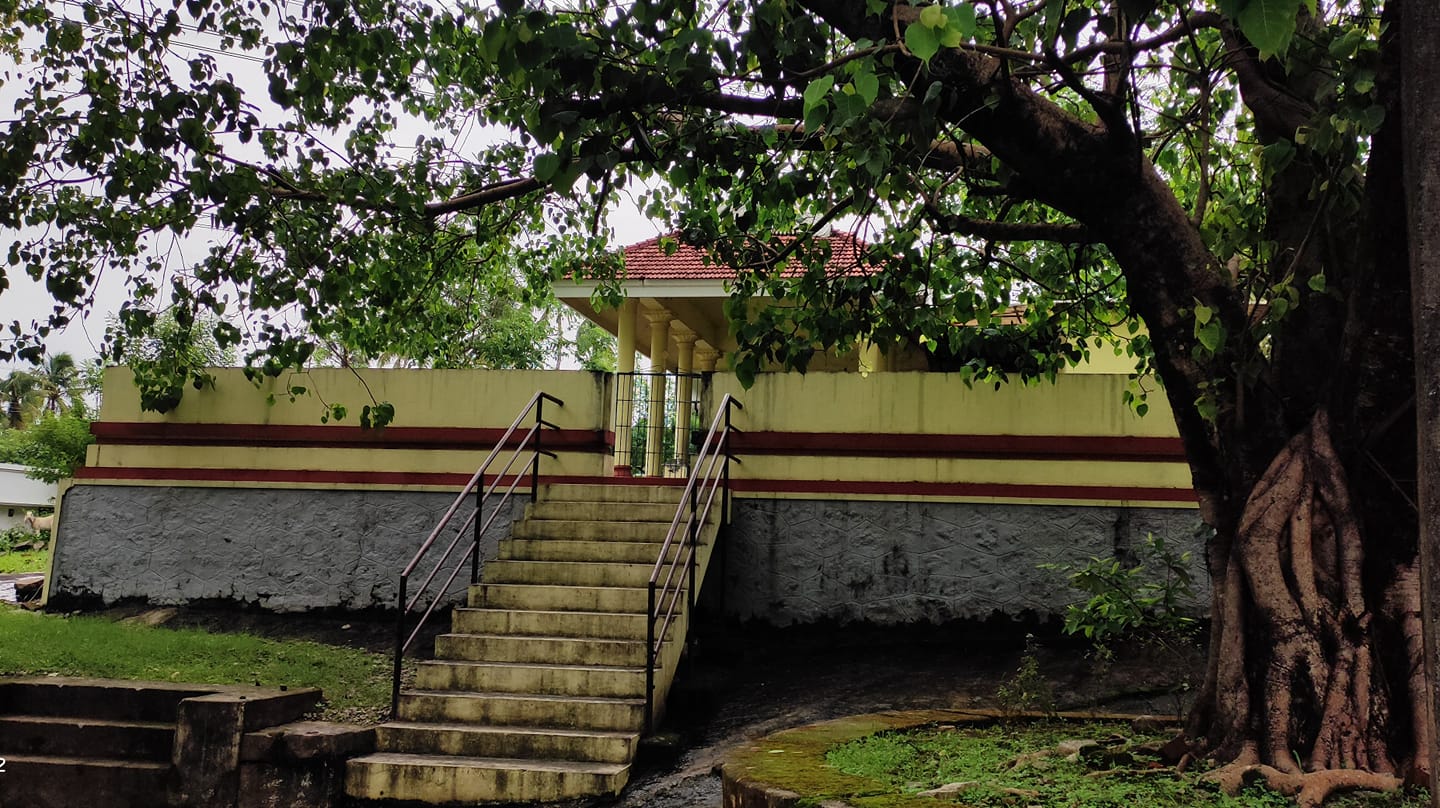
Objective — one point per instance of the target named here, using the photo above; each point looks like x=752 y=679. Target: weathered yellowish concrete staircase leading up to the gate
x=539 y=693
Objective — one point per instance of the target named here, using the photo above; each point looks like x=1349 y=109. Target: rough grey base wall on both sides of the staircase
x=784 y=561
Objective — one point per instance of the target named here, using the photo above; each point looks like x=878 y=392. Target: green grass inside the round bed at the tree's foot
x=912 y=761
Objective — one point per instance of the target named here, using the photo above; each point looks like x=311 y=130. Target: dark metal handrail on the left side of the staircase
x=405 y=607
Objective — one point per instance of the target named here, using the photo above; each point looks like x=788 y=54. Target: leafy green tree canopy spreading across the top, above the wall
x=290 y=175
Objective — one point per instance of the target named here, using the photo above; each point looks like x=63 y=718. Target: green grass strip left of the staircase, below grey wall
x=356 y=683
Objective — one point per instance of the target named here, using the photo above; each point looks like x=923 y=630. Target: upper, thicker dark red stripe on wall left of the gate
x=113 y=433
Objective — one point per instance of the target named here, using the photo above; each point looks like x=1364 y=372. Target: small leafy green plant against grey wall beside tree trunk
x=1141 y=603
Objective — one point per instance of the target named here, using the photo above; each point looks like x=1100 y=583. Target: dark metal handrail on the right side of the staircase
x=708 y=477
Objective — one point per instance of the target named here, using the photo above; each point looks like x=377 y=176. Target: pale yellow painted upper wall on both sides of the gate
x=905 y=404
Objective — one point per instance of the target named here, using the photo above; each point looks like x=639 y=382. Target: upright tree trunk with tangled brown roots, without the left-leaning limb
x=1315 y=676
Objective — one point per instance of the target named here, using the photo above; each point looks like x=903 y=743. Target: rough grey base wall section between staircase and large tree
x=891 y=562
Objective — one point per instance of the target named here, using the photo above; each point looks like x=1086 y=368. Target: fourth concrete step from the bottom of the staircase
x=529 y=678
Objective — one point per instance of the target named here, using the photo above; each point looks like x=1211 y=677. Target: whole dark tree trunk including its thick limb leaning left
x=1305 y=475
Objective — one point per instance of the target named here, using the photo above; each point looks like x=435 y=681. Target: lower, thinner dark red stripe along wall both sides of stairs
x=855 y=488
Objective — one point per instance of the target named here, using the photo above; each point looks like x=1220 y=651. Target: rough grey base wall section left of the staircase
x=282 y=549
